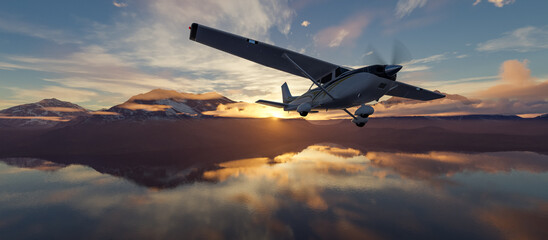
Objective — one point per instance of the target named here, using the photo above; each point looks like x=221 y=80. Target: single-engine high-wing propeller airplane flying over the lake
x=337 y=87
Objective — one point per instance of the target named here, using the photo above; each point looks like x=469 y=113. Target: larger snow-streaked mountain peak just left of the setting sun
x=160 y=103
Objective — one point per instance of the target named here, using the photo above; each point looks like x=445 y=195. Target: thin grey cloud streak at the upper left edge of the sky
x=37 y=31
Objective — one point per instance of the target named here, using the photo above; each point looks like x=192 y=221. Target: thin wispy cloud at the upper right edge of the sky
x=523 y=39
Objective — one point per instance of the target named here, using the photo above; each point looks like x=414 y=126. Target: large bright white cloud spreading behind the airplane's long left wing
x=151 y=43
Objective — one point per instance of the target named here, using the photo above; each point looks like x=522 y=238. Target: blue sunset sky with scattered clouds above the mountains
x=100 y=53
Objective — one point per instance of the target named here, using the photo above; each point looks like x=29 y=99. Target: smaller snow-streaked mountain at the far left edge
x=45 y=113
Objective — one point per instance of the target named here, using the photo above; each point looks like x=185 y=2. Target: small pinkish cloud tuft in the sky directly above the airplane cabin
x=343 y=34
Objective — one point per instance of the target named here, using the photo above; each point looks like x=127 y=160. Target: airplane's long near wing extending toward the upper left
x=263 y=53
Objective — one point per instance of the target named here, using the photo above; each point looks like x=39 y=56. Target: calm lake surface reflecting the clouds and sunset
x=324 y=191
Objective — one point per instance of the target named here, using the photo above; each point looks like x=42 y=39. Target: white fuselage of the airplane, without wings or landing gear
x=348 y=90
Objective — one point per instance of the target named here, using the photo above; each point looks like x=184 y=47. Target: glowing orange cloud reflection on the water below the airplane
x=315 y=160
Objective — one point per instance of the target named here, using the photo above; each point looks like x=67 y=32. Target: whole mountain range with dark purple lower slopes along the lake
x=169 y=126
